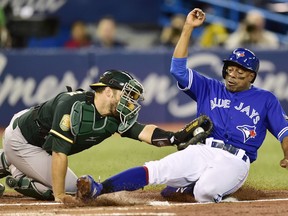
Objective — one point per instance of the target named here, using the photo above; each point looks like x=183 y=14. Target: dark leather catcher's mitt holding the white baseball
x=185 y=137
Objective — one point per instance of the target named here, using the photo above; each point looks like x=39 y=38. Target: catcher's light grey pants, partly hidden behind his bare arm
x=32 y=162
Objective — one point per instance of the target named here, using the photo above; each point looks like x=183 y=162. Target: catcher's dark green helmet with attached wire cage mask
x=131 y=91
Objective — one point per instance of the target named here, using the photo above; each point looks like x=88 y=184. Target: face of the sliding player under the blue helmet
x=237 y=79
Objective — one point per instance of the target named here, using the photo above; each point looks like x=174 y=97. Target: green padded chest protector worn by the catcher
x=86 y=128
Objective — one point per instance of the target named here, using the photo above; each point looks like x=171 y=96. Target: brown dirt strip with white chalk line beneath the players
x=142 y=202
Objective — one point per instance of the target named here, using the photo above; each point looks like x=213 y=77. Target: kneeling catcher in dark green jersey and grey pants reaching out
x=39 y=140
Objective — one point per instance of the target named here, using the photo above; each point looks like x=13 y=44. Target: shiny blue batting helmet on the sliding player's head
x=244 y=58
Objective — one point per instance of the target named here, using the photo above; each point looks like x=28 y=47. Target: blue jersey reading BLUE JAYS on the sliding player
x=239 y=118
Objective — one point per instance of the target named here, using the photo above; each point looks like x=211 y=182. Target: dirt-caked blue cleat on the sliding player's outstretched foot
x=87 y=188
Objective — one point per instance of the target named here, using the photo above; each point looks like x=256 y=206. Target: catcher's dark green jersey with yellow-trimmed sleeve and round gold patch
x=49 y=125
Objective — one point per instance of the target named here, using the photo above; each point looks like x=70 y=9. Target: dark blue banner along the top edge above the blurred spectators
x=69 y=11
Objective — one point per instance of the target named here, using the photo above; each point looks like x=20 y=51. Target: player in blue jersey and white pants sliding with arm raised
x=241 y=114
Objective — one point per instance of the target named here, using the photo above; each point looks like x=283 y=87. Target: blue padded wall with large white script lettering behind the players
x=29 y=77
